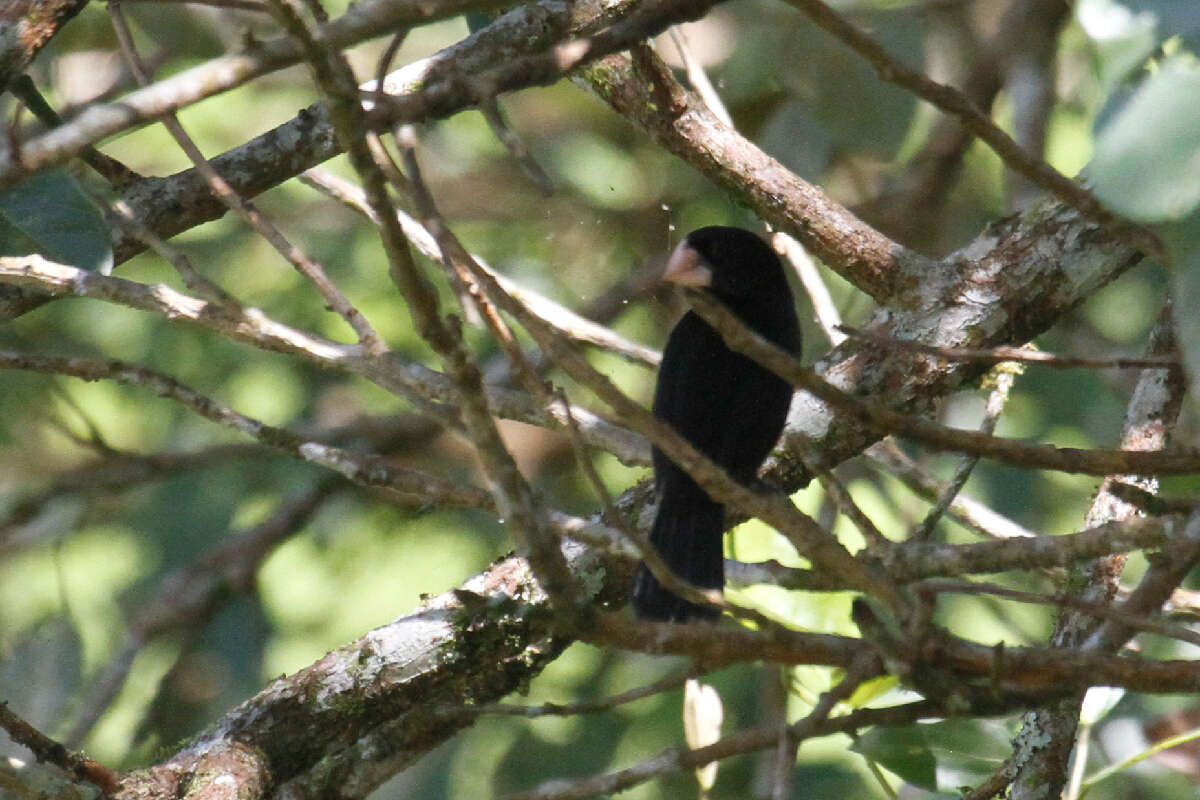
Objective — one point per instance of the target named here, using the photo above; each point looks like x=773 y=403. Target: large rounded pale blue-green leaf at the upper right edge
x=1148 y=161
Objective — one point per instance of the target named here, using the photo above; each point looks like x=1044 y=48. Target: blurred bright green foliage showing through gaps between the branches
x=95 y=558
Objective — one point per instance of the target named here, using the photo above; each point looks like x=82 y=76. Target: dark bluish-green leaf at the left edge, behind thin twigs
x=50 y=215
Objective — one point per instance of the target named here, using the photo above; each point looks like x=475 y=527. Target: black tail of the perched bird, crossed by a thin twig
x=688 y=537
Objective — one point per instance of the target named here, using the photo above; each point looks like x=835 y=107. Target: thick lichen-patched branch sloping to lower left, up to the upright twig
x=472 y=646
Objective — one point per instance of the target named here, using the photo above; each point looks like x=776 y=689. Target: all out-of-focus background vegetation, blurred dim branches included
x=125 y=625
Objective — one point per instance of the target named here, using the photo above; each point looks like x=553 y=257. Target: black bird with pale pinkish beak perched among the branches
x=723 y=402
